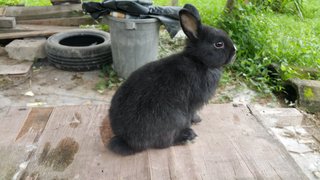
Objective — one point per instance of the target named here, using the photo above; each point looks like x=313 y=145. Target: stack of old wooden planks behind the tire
x=20 y=21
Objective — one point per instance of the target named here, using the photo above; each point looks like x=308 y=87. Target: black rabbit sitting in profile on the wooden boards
x=156 y=105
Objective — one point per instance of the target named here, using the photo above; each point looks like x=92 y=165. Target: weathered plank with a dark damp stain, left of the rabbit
x=70 y=146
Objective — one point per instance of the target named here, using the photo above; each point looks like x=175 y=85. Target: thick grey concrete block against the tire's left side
x=27 y=49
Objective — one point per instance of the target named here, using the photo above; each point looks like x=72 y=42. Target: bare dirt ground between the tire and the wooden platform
x=49 y=86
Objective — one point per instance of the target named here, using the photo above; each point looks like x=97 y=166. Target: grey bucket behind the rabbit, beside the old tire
x=134 y=43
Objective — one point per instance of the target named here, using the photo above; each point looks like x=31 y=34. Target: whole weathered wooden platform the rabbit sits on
x=66 y=143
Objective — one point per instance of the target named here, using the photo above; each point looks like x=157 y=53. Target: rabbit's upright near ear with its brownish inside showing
x=190 y=22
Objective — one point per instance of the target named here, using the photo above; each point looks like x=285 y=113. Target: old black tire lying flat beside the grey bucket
x=79 y=50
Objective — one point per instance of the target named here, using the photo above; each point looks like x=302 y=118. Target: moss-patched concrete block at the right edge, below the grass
x=308 y=94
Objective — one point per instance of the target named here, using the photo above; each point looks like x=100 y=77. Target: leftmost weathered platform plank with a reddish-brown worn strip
x=20 y=128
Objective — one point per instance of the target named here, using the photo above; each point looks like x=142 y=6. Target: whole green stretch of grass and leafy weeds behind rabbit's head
x=266 y=34
